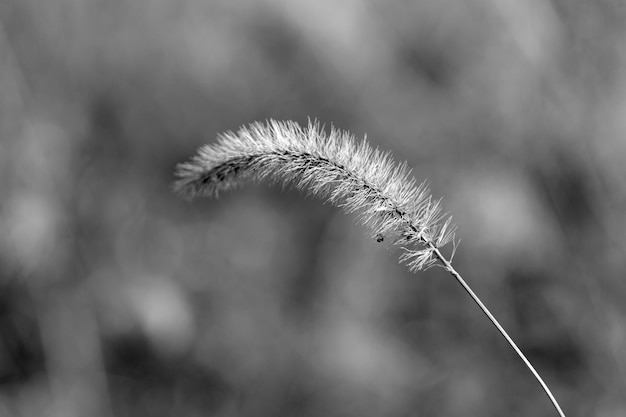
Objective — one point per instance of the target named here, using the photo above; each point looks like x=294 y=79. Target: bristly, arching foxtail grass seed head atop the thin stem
x=353 y=176
